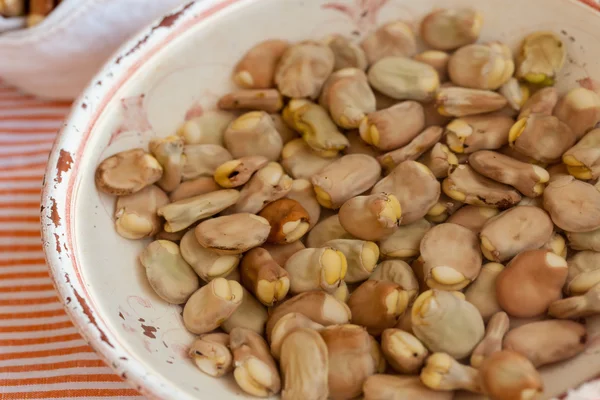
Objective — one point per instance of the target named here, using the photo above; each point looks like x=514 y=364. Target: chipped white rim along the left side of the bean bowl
x=61 y=179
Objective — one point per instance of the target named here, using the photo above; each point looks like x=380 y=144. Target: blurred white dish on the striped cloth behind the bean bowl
x=57 y=58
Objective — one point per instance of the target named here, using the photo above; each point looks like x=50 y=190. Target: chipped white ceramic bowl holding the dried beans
x=174 y=70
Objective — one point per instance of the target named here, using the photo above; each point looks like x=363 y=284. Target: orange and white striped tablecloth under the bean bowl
x=42 y=356
